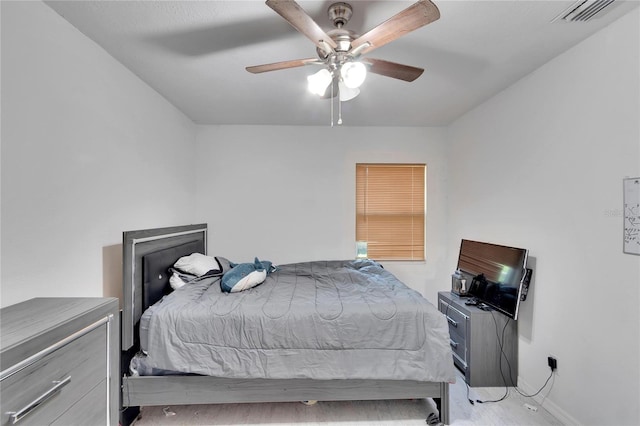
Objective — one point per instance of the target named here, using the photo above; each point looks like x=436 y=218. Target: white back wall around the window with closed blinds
x=287 y=194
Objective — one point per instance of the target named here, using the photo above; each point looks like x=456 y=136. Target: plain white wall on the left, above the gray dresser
x=88 y=151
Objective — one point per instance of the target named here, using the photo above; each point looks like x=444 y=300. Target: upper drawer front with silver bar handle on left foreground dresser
x=57 y=380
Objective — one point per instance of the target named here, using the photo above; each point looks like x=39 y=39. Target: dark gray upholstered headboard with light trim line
x=161 y=247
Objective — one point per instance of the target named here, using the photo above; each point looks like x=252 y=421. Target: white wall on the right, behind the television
x=541 y=166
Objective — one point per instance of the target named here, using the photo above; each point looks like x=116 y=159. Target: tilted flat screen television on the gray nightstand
x=503 y=269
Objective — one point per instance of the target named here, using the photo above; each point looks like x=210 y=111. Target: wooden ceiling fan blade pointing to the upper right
x=418 y=15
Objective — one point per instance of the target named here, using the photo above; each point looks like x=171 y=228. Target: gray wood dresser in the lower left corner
x=59 y=362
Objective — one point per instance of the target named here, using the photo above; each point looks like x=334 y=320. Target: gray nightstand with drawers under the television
x=475 y=344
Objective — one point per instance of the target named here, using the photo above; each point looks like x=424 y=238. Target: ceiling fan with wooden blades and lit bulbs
x=340 y=51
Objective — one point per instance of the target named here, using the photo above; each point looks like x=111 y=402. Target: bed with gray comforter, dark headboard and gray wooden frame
x=276 y=362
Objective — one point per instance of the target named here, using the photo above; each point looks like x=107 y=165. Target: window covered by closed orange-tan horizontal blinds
x=390 y=210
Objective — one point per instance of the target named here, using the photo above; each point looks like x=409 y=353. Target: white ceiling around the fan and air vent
x=194 y=54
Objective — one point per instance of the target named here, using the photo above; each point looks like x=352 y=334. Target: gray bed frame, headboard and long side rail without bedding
x=143 y=289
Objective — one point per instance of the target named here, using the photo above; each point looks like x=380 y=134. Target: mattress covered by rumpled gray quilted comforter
x=321 y=320
